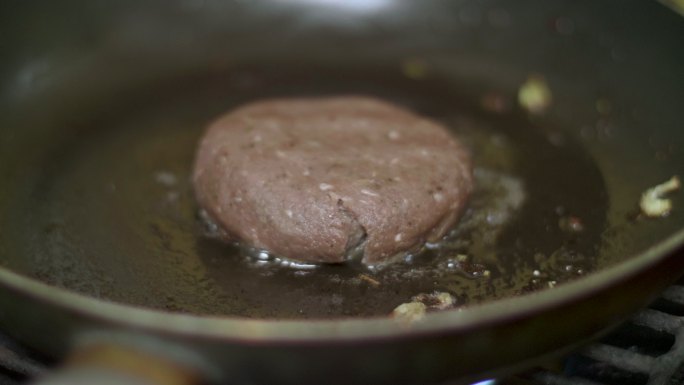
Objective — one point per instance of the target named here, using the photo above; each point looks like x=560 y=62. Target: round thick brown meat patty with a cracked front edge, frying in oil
x=320 y=179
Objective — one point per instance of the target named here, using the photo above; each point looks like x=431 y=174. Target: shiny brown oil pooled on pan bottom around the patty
x=117 y=218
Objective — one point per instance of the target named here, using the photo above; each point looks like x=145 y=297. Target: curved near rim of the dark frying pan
x=341 y=329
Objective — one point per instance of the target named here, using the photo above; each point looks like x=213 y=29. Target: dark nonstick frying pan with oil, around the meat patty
x=105 y=260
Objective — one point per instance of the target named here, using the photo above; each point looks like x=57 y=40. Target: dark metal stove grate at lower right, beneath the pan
x=646 y=350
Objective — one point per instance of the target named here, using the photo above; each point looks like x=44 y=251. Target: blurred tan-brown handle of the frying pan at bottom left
x=111 y=364
